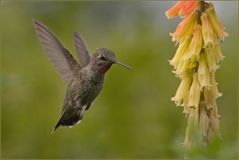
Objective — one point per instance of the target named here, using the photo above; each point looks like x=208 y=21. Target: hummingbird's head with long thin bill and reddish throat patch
x=103 y=59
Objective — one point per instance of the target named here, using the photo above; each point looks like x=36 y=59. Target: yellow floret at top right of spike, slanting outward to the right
x=216 y=25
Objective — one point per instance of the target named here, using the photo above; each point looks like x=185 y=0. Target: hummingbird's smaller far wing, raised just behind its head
x=81 y=49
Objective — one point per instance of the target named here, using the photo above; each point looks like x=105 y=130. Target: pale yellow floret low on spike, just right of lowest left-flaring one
x=194 y=93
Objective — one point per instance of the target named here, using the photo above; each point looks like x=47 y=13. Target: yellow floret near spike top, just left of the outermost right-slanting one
x=207 y=31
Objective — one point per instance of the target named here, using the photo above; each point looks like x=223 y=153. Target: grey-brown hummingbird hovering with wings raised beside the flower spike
x=84 y=80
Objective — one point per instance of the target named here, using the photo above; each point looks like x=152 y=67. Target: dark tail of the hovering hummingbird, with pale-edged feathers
x=70 y=117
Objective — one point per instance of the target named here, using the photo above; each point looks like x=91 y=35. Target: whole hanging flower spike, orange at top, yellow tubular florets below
x=195 y=63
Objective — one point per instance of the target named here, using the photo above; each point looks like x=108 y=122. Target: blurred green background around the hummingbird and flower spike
x=133 y=117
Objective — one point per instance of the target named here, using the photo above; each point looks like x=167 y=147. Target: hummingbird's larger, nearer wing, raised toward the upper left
x=63 y=61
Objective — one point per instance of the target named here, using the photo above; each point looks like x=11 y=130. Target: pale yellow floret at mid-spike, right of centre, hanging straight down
x=203 y=72
